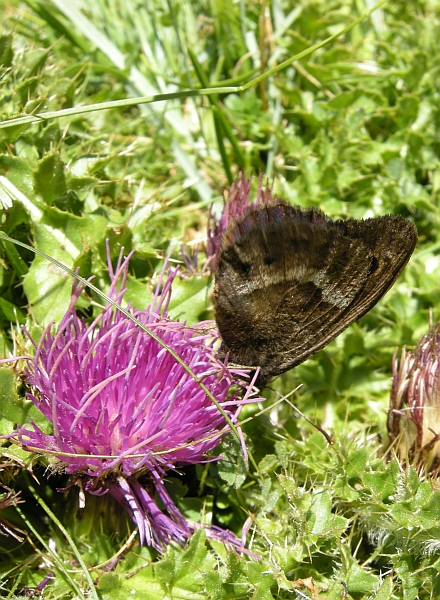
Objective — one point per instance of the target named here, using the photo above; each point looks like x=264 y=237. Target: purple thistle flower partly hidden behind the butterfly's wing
x=236 y=205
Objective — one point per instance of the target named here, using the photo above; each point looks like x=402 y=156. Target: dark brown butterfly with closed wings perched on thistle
x=289 y=280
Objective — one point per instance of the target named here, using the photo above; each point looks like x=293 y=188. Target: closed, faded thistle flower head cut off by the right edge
x=414 y=415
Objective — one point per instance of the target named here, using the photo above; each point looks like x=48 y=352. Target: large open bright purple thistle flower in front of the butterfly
x=124 y=411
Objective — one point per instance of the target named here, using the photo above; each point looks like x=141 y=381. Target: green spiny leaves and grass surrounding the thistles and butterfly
x=351 y=128
